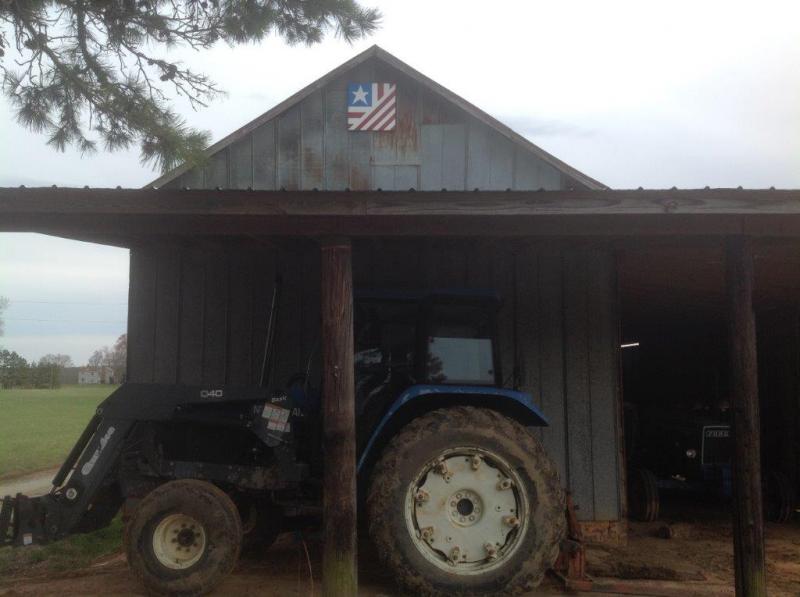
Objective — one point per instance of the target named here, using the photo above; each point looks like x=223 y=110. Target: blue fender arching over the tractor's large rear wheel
x=517 y=405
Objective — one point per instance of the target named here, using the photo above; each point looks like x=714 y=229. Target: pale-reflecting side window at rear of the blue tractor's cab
x=460 y=348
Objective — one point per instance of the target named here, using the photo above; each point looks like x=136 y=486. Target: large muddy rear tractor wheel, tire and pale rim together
x=464 y=501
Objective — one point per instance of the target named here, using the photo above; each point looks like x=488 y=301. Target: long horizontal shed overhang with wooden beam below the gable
x=125 y=216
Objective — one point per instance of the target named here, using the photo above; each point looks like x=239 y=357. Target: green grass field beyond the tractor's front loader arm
x=38 y=427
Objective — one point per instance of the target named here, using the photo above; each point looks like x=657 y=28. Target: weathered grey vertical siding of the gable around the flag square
x=434 y=146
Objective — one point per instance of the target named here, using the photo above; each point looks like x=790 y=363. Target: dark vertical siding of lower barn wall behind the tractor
x=198 y=314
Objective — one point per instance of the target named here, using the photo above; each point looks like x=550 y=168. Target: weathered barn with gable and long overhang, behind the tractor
x=445 y=196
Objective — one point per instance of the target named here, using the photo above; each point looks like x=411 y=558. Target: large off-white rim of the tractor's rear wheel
x=467 y=511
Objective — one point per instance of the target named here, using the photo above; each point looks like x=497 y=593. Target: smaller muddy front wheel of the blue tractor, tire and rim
x=199 y=514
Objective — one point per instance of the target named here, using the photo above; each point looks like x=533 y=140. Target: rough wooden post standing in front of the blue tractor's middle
x=339 y=575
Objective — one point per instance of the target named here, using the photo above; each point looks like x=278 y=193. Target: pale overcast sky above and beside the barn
x=652 y=94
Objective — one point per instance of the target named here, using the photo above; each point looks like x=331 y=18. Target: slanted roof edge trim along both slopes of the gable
x=389 y=59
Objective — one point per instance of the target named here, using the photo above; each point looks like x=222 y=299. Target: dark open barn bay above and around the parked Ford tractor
x=676 y=363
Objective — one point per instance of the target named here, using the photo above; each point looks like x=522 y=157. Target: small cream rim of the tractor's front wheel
x=179 y=541
